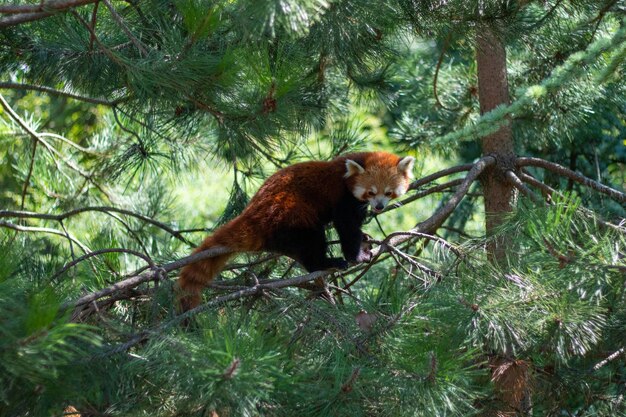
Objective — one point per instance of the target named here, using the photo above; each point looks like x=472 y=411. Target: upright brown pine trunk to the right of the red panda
x=493 y=90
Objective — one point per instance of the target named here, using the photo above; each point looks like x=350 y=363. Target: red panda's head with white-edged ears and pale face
x=380 y=178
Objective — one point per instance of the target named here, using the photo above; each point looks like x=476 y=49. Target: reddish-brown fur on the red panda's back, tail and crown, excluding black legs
x=301 y=195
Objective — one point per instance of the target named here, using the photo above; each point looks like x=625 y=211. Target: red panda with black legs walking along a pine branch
x=288 y=214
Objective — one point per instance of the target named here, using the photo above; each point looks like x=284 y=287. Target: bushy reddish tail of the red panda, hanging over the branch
x=234 y=235
